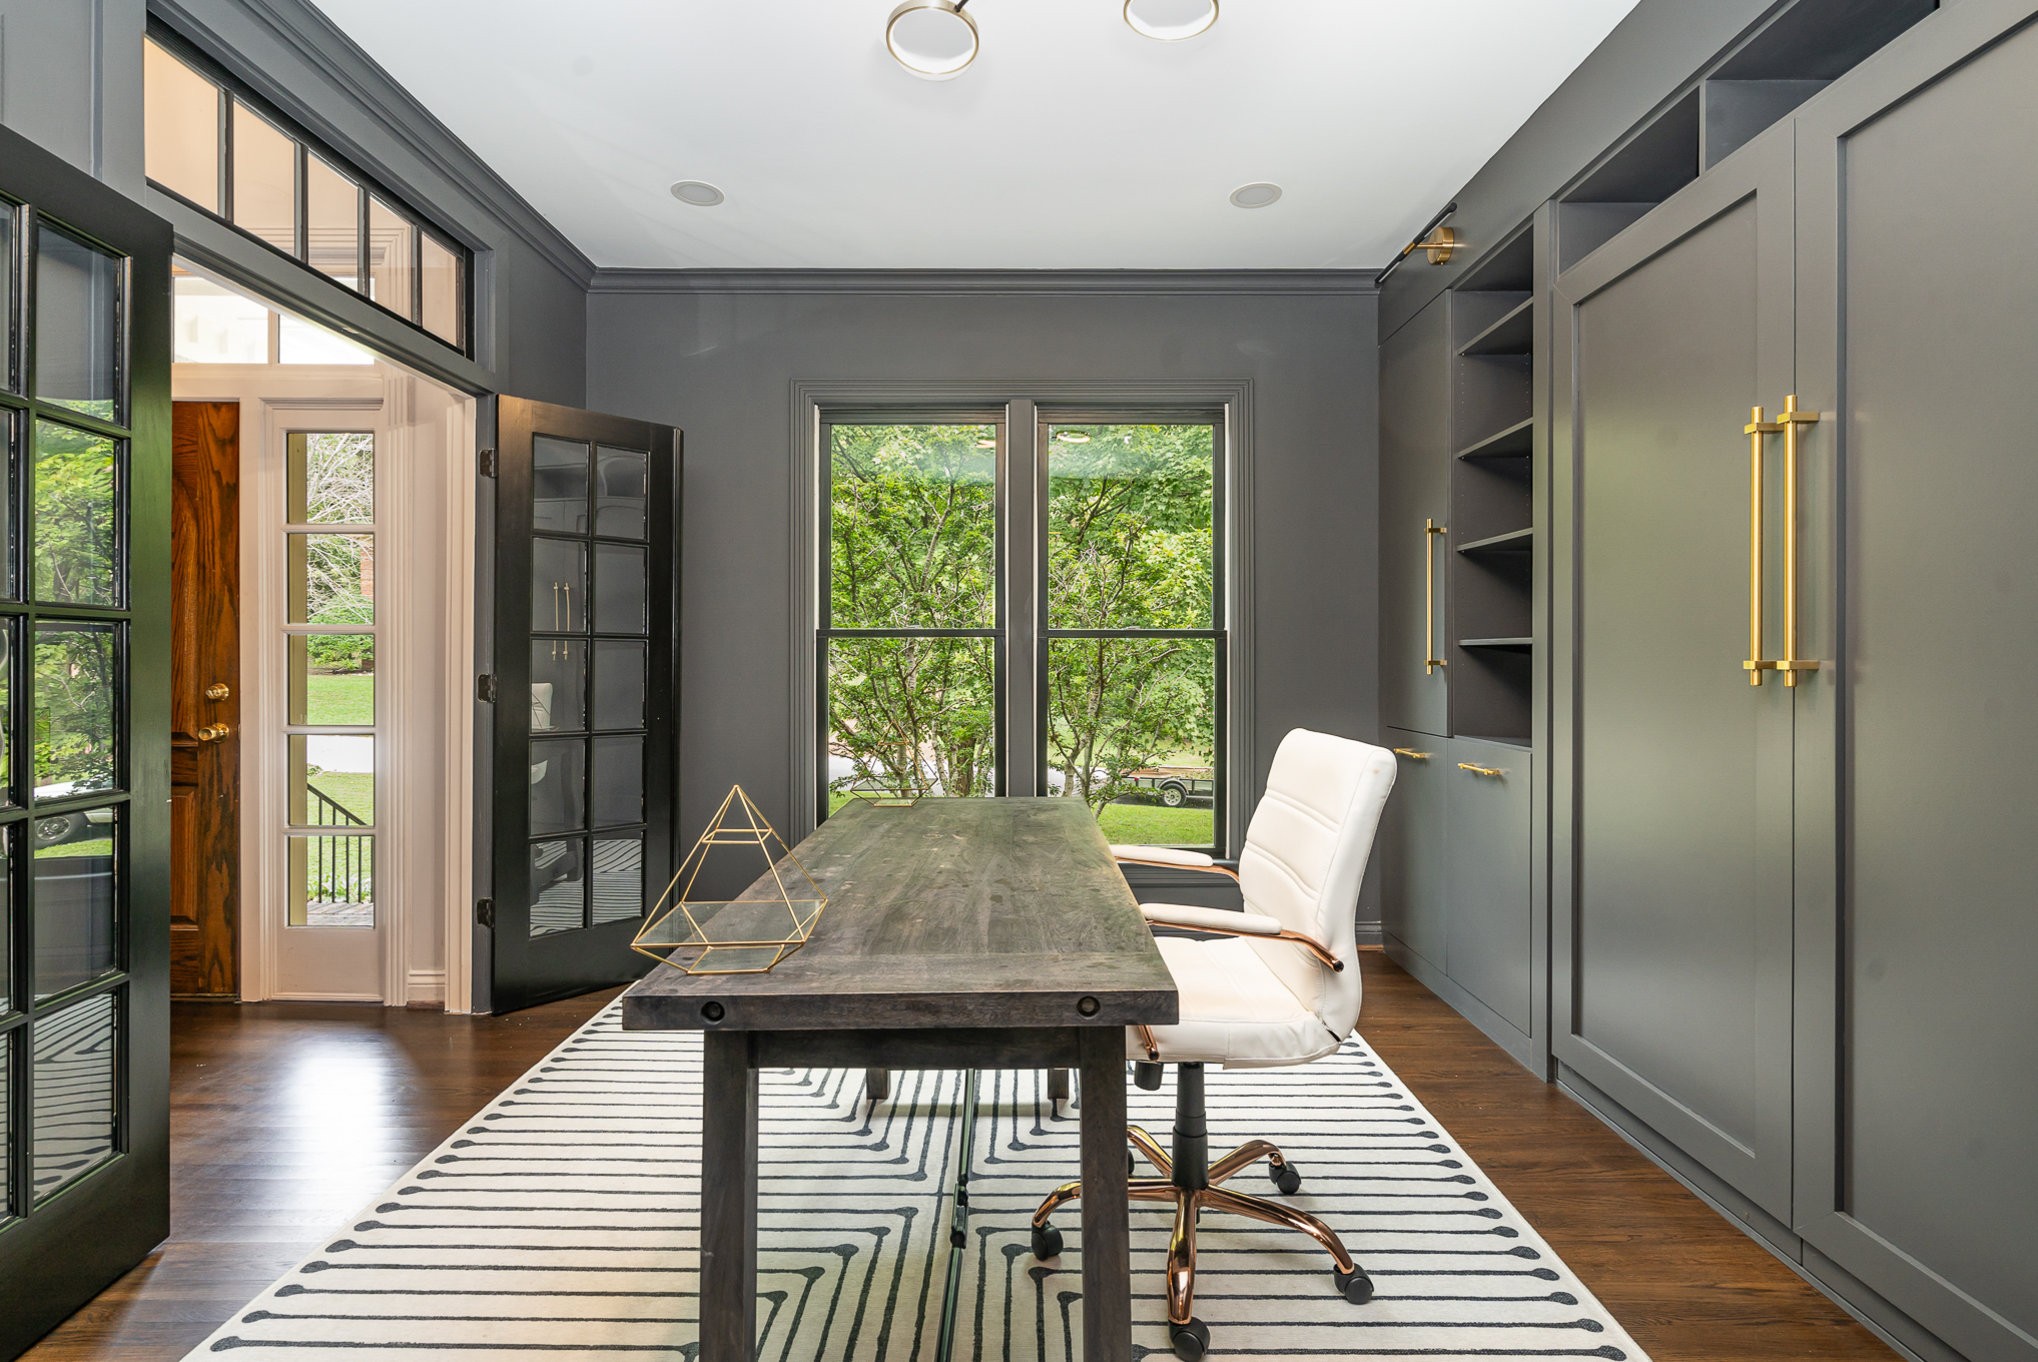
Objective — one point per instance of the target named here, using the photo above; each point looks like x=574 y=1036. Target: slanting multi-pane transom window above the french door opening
x=242 y=162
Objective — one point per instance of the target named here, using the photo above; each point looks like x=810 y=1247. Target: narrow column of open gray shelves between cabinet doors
x=1493 y=482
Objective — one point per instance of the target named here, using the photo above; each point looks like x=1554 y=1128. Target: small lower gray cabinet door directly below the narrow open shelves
x=1487 y=884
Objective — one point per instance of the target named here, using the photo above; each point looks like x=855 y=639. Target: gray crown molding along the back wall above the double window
x=983 y=282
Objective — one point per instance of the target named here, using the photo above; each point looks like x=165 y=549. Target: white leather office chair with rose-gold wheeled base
x=1261 y=990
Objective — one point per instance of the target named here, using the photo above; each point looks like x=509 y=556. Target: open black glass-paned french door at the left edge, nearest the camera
x=85 y=739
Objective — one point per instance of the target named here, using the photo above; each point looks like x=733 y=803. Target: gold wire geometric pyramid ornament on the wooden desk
x=751 y=933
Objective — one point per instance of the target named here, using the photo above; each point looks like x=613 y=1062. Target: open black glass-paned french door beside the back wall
x=584 y=782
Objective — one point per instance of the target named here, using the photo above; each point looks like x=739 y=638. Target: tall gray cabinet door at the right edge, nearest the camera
x=1919 y=945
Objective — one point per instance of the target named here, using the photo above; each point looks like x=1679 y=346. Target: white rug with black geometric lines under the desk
x=566 y=1218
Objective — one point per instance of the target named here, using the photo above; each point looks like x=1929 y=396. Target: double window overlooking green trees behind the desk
x=1093 y=547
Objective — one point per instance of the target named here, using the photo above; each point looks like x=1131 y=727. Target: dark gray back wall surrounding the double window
x=722 y=364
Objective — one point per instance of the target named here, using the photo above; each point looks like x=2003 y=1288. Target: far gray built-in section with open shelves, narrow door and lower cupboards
x=1460 y=588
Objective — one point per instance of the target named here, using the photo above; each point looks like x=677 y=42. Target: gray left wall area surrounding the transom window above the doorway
x=70 y=78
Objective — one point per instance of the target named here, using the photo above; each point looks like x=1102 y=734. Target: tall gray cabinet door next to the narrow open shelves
x=1672 y=861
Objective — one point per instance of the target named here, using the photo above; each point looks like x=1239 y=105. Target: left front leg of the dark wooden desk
x=729 y=1200
